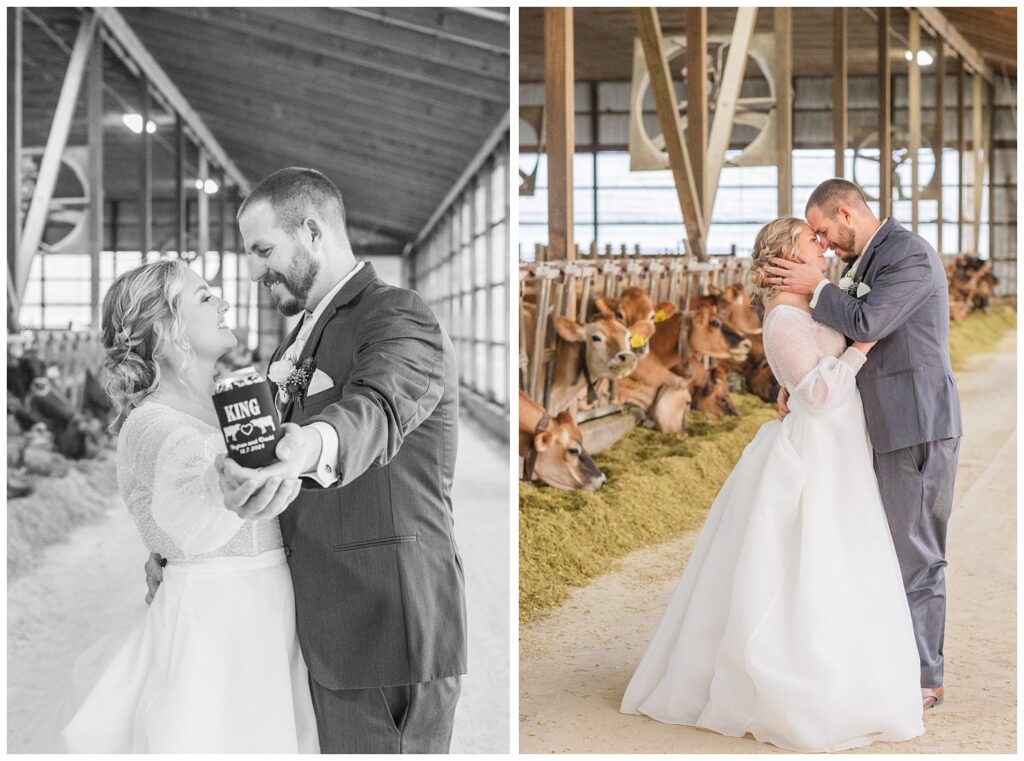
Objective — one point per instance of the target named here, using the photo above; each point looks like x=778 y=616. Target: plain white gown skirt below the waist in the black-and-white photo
x=214 y=667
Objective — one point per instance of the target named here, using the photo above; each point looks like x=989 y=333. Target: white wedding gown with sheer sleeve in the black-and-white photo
x=215 y=665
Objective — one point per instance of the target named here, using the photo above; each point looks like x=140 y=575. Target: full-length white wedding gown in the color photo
x=791 y=622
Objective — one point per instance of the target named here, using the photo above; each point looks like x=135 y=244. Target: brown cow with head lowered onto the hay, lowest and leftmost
x=552 y=450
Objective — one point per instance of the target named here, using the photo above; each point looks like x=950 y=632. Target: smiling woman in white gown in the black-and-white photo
x=215 y=665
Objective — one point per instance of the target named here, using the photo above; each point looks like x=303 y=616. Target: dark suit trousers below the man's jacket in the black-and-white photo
x=407 y=718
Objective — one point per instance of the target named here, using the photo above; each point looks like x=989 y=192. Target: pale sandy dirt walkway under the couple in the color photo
x=576 y=664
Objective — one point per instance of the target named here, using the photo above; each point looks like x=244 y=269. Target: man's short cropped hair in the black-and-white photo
x=294 y=193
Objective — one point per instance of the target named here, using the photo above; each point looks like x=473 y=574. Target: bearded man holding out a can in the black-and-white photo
x=372 y=428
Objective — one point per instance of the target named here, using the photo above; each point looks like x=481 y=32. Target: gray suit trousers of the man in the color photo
x=917 y=489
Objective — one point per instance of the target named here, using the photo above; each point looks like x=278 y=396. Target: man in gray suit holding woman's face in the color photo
x=894 y=291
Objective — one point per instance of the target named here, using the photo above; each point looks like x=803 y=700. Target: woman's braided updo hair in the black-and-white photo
x=141 y=321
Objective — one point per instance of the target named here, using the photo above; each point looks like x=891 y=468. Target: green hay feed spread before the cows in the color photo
x=659 y=487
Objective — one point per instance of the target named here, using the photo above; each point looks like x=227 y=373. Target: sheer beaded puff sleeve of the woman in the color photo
x=812 y=375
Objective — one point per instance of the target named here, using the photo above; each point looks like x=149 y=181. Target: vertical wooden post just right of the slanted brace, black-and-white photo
x=95 y=130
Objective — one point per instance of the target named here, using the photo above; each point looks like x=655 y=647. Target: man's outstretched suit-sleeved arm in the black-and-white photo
x=397 y=383
